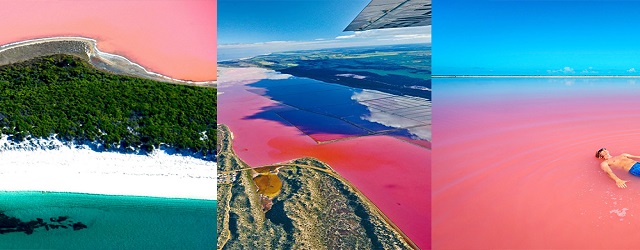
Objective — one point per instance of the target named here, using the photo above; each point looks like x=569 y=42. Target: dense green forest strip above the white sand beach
x=65 y=95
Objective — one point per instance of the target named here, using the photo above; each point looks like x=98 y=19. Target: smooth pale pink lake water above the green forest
x=173 y=38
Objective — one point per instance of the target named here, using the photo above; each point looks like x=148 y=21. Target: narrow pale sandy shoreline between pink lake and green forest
x=94 y=52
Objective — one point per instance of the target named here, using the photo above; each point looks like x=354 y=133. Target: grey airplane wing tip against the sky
x=382 y=14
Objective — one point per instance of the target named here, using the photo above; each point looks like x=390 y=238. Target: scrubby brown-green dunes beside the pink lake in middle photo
x=310 y=190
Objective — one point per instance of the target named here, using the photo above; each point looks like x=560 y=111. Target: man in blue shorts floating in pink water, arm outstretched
x=623 y=161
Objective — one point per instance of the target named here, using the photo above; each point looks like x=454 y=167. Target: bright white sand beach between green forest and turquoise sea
x=53 y=166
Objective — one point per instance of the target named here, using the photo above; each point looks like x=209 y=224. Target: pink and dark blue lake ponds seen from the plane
x=277 y=118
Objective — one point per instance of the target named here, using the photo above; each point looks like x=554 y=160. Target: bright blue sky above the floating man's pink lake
x=536 y=37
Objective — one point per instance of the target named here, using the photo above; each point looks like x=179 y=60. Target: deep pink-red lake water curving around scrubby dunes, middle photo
x=392 y=173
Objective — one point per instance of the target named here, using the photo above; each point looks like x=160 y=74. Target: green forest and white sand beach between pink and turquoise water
x=59 y=133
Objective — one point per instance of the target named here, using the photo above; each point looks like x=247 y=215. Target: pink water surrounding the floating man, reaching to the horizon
x=514 y=166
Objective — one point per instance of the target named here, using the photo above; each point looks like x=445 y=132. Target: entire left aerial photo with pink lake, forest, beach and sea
x=108 y=125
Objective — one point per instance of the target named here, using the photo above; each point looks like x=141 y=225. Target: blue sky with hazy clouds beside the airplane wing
x=253 y=27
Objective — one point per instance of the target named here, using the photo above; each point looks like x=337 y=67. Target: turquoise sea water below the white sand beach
x=114 y=222
